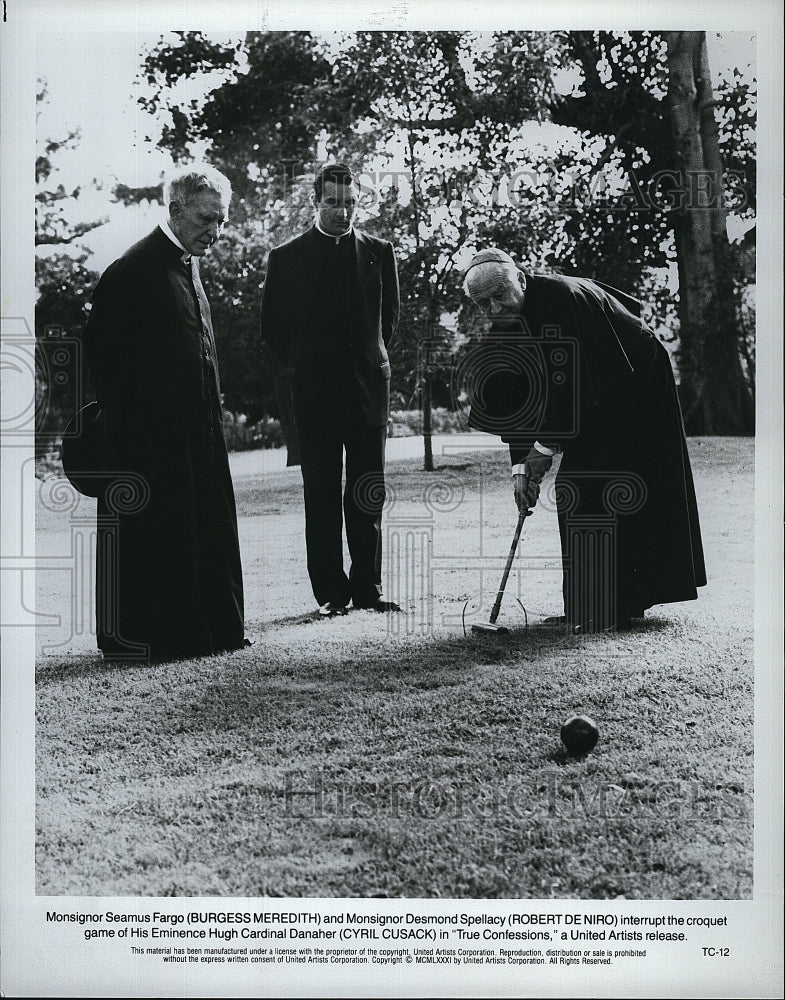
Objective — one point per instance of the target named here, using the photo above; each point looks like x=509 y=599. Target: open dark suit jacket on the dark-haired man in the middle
x=292 y=320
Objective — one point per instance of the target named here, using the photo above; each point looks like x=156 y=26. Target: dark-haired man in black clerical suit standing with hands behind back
x=329 y=310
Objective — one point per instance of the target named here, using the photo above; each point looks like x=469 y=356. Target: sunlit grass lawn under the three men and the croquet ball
x=392 y=756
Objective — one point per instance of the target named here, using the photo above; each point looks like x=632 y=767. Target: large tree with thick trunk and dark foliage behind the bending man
x=653 y=179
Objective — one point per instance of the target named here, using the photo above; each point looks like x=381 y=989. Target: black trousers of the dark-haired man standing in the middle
x=329 y=422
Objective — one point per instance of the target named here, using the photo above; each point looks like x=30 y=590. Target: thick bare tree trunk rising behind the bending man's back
x=715 y=395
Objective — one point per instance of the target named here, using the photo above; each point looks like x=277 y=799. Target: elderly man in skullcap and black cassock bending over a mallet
x=568 y=364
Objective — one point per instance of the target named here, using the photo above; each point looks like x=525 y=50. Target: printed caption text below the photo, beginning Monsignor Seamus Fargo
x=521 y=938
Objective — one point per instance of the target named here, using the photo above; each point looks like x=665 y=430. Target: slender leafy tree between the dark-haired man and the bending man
x=443 y=108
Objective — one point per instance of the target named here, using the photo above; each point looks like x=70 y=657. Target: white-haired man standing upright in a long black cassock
x=169 y=580
